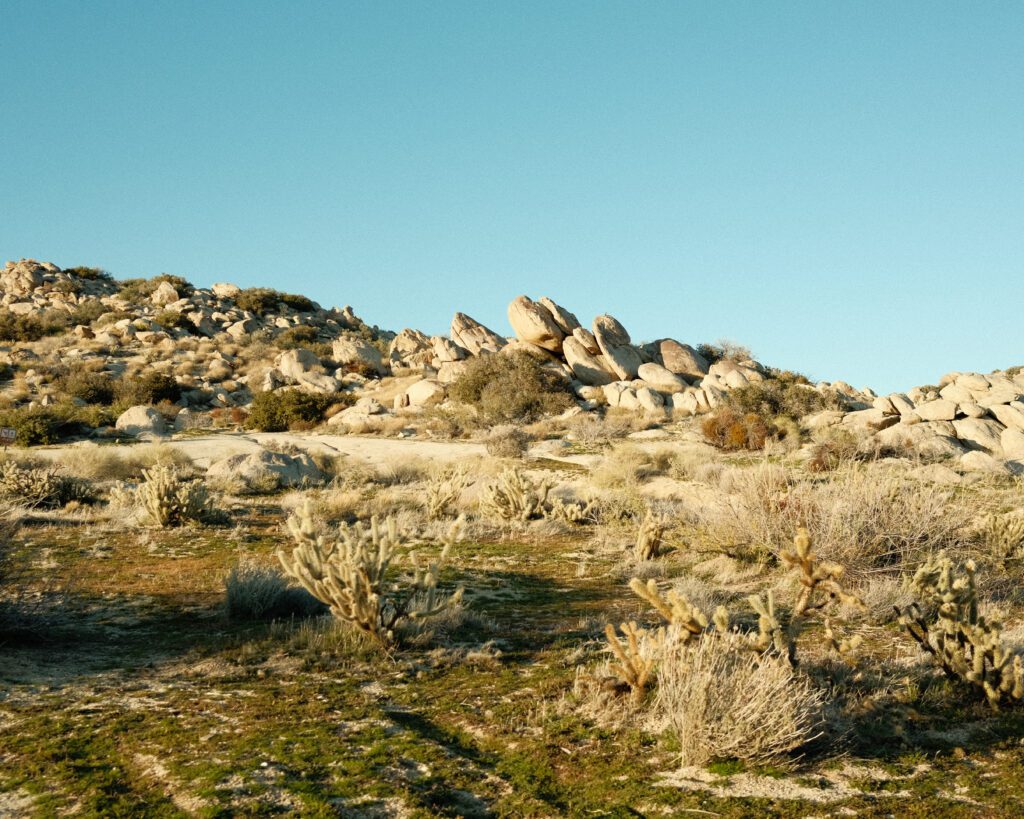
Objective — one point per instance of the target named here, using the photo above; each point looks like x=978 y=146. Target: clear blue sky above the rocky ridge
x=838 y=186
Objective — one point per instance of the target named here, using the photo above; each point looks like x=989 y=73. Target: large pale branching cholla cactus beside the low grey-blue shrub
x=350 y=572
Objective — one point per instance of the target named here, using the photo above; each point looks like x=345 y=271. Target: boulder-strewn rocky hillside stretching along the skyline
x=218 y=350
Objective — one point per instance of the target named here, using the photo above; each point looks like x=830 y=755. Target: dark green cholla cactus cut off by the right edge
x=947 y=624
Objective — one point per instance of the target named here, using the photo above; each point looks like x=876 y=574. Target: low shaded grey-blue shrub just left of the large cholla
x=254 y=591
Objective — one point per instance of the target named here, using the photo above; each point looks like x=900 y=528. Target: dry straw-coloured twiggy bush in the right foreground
x=723 y=702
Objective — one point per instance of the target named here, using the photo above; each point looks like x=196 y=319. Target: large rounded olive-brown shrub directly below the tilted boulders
x=511 y=389
